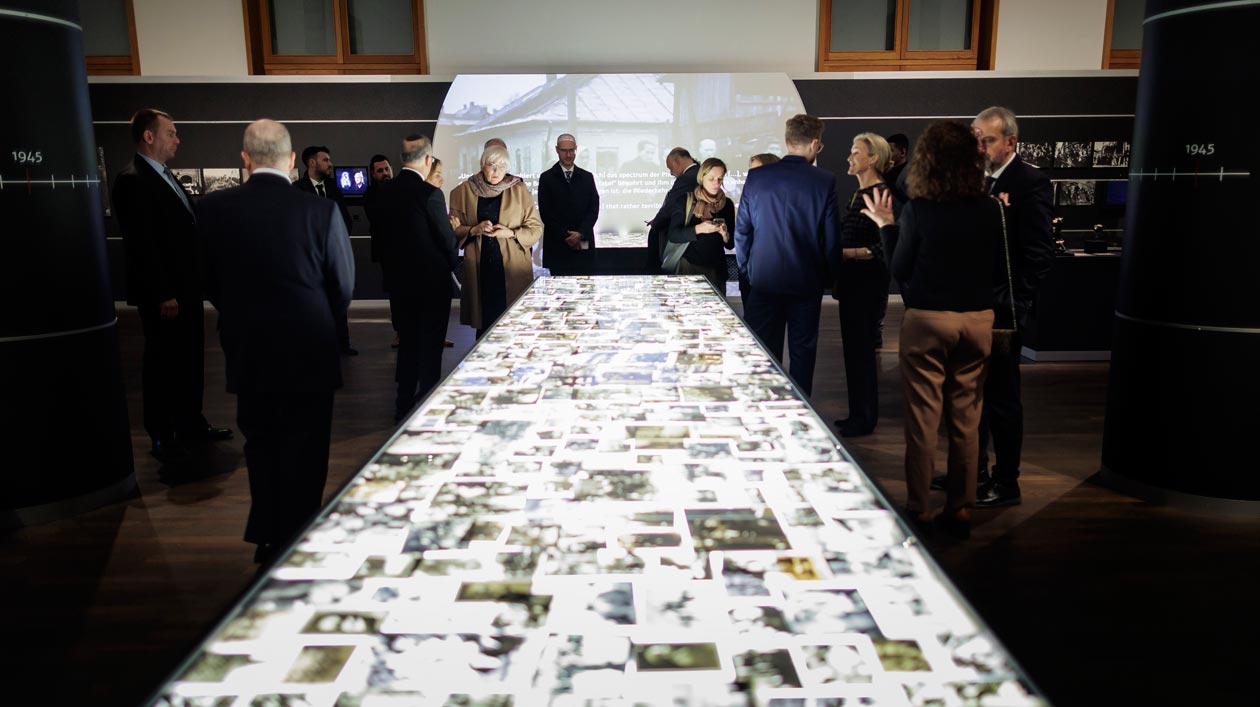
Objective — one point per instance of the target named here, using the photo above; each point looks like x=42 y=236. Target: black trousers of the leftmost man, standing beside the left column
x=173 y=370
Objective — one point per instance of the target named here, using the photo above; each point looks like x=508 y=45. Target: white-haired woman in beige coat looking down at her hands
x=503 y=227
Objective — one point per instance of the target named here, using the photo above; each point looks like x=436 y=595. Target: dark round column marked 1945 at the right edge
x=1184 y=405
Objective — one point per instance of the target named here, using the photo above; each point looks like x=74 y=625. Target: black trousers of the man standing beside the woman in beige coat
x=421 y=322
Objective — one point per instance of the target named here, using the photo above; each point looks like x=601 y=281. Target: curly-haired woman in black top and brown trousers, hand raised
x=949 y=254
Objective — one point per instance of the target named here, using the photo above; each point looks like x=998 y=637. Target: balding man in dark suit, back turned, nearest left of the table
x=279 y=269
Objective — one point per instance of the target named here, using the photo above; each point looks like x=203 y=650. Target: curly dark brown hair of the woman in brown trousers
x=948 y=164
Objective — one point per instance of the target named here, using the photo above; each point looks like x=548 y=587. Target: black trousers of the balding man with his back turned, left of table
x=287 y=440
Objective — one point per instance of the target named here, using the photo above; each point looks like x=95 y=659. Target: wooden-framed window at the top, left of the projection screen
x=336 y=37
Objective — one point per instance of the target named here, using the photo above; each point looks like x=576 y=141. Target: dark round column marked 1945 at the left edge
x=65 y=440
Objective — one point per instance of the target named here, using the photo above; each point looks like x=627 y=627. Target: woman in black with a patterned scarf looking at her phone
x=701 y=222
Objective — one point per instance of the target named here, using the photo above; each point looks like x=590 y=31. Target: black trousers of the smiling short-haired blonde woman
x=862 y=290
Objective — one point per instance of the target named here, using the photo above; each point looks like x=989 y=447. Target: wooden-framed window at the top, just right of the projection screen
x=907 y=35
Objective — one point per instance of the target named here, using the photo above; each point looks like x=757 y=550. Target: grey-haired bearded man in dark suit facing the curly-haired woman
x=1030 y=196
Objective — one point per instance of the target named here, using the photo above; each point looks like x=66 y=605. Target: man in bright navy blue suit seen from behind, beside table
x=787 y=244
